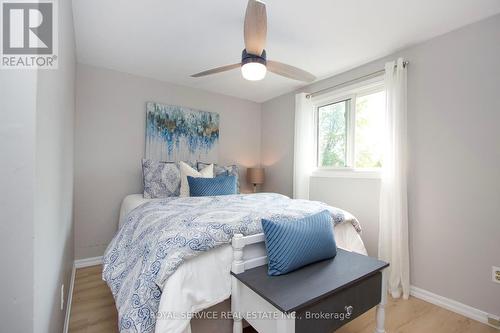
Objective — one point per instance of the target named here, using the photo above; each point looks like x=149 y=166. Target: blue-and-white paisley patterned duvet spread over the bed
x=160 y=235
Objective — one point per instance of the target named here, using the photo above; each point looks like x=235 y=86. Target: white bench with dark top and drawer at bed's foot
x=318 y=298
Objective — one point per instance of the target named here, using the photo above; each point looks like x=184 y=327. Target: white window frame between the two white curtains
x=350 y=92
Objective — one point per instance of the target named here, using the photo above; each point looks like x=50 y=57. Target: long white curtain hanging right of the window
x=393 y=224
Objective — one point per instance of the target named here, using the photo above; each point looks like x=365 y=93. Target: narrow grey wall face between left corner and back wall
x=53 y=227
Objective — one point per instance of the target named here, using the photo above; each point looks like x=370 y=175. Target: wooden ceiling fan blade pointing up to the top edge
x=255 y=29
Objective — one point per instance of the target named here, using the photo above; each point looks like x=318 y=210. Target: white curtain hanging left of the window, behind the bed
x=303 y=159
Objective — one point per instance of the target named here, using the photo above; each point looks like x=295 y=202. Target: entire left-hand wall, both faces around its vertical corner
x=36 y=228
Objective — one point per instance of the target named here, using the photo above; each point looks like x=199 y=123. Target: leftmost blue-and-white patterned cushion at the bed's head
x=160 y=179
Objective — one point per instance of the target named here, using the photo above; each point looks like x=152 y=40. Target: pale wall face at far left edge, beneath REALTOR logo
x=17 y=165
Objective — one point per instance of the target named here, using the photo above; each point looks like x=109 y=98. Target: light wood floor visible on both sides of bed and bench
x=93 y=311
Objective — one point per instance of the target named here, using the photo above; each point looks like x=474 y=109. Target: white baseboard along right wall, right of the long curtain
x=449 y=304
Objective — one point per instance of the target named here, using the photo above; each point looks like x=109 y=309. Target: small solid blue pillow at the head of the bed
x=203 y=187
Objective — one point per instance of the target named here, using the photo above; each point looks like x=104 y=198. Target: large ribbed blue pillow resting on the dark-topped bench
x=292 y=244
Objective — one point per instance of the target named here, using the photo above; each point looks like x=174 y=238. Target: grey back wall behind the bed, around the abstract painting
x=110 y=142
